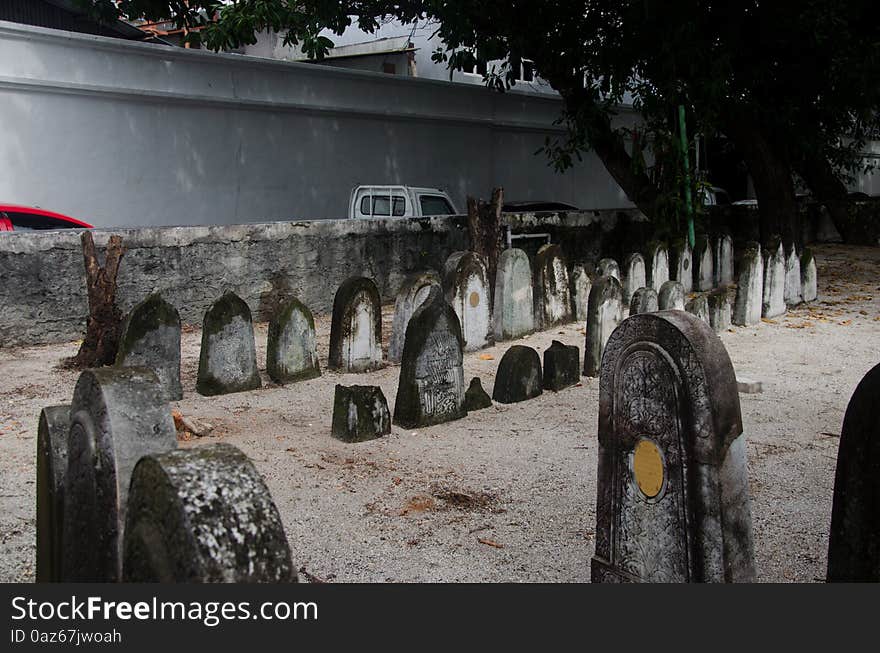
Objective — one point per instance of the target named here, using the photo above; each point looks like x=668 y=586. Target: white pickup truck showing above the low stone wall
x=399 y=202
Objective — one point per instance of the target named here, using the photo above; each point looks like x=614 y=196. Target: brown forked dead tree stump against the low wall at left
x=105 y=319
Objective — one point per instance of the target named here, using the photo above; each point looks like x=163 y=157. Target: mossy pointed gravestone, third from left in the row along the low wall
x=290 y=348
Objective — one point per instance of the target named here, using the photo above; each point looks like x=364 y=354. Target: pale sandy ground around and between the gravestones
x=508 y=493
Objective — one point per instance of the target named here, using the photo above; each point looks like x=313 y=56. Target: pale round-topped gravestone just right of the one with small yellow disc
x=513 y=316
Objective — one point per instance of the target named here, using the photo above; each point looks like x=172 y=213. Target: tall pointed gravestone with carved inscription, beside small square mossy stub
x=431 y=386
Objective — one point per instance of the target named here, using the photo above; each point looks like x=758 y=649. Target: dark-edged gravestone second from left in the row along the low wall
x=228 y=359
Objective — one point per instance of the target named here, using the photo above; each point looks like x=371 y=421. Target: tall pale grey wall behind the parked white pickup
x=133 y=134
